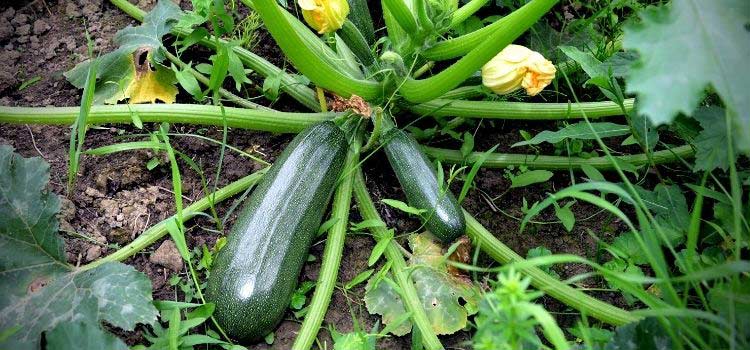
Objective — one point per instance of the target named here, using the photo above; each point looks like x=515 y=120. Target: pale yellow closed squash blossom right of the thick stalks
x=518 y=67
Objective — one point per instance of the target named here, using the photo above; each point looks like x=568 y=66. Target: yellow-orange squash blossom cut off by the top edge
x=325 y=16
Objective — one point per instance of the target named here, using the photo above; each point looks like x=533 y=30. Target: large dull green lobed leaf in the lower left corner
x=40 y=290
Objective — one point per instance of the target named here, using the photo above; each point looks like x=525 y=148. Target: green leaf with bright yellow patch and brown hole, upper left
x=134 y=66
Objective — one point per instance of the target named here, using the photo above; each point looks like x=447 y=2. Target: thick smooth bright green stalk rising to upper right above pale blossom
x=424 y=90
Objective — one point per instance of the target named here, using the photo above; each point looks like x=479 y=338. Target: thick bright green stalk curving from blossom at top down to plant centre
x=305 y=56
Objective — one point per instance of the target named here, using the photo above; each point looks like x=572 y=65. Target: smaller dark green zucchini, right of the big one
x=418 y=179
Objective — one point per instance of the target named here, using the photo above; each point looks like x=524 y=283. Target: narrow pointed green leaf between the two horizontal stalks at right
x=577 y=131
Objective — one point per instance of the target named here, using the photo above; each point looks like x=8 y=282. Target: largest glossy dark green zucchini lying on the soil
x=254 y=275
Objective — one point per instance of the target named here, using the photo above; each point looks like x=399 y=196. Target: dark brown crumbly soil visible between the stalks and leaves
x=116 y=197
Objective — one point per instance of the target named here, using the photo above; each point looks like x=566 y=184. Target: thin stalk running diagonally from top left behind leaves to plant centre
x=289 y=84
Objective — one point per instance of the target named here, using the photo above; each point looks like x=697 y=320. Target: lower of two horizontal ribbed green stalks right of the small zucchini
x=533 y=161
